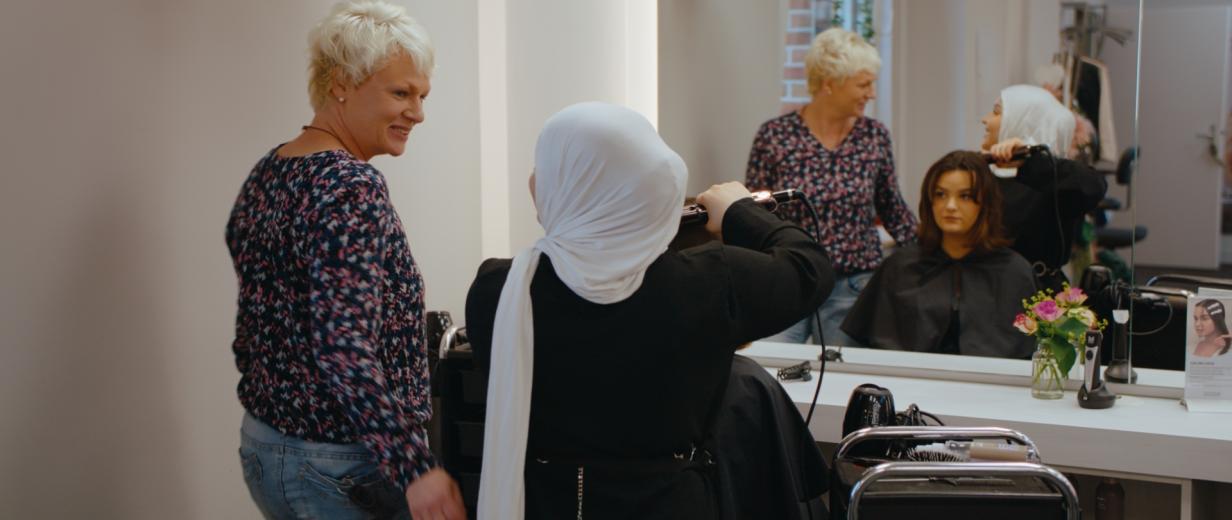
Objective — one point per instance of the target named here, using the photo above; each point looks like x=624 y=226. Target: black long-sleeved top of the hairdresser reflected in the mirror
x=1032 y=213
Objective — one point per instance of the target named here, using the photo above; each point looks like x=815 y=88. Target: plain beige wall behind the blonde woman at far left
x=128 y=139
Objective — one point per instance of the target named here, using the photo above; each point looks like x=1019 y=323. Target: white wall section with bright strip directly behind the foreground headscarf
x=564 y=52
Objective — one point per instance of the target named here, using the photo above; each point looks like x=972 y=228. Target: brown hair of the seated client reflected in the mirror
x=987 y=234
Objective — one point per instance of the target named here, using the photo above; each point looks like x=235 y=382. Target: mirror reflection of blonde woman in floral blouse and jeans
x=843 y=162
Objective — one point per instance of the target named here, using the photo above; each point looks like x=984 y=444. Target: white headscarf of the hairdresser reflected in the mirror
x=1035 y=116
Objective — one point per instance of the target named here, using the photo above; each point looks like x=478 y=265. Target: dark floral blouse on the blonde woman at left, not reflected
x=330 y=335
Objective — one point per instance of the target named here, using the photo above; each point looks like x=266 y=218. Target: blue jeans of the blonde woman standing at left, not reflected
x=294 y=479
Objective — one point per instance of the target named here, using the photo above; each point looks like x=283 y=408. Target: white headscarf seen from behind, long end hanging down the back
x=609 y=194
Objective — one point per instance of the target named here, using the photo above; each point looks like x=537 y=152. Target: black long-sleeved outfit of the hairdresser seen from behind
x=641 y=380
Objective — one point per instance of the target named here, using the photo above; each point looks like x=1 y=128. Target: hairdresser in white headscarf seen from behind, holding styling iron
x=608 y=353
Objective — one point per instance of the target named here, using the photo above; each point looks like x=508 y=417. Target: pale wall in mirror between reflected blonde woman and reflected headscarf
x=952 y=61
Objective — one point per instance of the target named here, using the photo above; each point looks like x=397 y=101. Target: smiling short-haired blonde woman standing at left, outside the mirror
x=330 y=335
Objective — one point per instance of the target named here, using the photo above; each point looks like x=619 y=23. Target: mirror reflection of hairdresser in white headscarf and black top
x=1044 y=206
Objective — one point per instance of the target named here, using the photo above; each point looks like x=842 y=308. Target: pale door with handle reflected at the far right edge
x=1185 y=62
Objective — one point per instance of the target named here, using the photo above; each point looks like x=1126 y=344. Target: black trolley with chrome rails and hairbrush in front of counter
x=909 y=481
